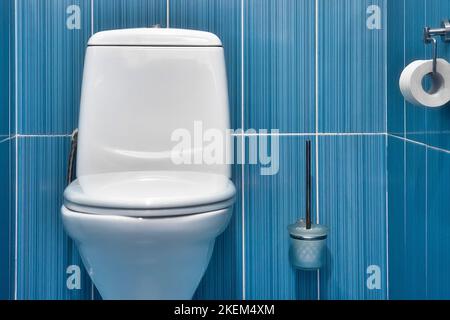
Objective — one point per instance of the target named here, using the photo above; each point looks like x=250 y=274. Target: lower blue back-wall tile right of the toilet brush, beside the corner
x=352 y=183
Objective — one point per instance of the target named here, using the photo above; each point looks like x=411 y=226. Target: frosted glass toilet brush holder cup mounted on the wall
x=307 y=246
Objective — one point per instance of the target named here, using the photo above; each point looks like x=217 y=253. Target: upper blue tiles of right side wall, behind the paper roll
x=430 y=126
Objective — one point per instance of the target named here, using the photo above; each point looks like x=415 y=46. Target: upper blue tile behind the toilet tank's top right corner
x=224 y=19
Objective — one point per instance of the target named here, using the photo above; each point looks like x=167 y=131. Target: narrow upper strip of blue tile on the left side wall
x=6 y=23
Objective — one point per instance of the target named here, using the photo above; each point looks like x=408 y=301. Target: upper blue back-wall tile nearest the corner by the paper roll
x=352 y=63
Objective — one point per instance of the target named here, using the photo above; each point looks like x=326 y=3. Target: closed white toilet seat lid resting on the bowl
x=149 y=193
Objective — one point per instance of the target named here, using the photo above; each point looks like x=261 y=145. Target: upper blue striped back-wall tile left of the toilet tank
x=50 y=63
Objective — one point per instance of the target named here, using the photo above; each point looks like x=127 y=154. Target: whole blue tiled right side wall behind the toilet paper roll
x=418 y=156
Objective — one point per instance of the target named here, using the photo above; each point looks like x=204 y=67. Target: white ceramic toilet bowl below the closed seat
x=137 y=258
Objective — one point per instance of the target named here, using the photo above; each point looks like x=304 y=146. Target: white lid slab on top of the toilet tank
x=158 y=37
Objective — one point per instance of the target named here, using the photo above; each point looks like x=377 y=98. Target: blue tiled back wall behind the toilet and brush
x=291 y=66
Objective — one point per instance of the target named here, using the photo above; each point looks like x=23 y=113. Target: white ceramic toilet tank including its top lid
x=144 y=92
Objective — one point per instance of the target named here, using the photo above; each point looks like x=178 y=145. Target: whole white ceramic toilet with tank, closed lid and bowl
x=145 y=225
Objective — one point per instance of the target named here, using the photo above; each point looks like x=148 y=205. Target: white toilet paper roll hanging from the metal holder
x=412 y=88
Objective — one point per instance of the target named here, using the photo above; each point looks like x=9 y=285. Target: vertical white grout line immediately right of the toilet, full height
x=242 y=156
